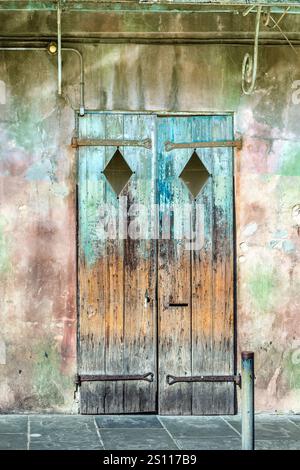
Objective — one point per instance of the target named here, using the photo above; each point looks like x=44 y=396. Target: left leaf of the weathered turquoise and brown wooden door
x=117 y=329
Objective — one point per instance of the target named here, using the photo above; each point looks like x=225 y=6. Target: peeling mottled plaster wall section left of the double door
x=37 y=239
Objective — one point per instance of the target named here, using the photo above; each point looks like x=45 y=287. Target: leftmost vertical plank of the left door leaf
x=91 y=274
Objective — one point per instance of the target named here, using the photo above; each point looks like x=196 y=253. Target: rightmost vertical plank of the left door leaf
x=140 y=272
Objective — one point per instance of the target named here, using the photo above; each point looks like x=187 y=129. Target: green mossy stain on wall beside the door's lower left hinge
x=49 y=382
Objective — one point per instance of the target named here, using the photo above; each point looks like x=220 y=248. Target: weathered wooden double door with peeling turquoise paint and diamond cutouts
x=155 y=247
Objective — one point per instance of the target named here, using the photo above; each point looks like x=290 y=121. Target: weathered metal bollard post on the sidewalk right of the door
x=247 y=400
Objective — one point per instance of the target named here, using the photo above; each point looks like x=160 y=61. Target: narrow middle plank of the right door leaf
x=202 y=282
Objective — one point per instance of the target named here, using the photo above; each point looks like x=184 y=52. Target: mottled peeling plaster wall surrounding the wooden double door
x=38 y=207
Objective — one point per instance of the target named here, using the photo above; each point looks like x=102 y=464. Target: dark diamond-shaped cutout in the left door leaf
x=117 y=172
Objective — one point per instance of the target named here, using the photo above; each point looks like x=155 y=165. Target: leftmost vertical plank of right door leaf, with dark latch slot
x=173 y=274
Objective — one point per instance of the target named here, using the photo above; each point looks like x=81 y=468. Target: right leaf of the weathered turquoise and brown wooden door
x=197 y=339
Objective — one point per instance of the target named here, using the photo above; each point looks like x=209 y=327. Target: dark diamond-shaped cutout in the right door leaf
x=194 y=174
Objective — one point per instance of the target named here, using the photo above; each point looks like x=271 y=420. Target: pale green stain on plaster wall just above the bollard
x=263 y=283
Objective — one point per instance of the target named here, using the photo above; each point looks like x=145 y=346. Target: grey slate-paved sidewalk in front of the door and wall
x=66 y=432
